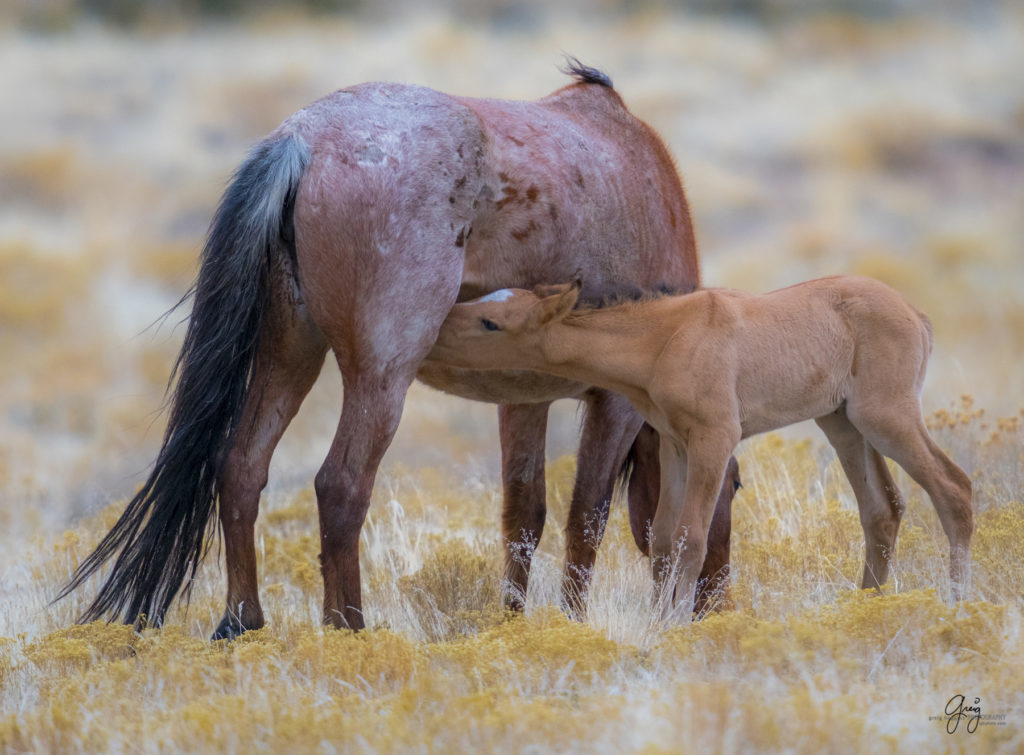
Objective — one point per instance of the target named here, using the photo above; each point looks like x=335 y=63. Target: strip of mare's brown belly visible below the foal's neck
x=507 y=387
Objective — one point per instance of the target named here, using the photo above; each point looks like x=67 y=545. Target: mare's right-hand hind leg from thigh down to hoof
x=380 y=337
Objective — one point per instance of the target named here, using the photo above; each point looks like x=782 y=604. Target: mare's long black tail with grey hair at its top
x=163 y=535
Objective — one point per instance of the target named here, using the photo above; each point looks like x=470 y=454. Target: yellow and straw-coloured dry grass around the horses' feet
x=803 y=662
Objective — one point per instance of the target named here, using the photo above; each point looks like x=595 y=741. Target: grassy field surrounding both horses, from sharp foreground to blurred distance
x=812 y=146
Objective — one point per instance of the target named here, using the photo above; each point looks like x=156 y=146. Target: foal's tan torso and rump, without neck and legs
x=802 y=352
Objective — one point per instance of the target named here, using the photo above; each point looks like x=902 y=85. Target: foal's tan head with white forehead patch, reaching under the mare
x=502 y=330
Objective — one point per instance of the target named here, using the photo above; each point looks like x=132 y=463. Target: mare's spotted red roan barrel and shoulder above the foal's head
x=575 y=182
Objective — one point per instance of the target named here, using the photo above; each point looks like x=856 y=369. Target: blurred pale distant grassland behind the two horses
x=884 y=139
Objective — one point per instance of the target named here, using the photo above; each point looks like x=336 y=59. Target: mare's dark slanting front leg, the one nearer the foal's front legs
x=610 y=427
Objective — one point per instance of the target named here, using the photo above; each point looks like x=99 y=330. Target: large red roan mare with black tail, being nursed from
x=355 y=228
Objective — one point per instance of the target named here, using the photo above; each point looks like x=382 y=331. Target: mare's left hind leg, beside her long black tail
x=289 y=360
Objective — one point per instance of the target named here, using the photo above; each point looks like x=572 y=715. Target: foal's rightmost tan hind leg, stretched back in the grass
x=899 y=432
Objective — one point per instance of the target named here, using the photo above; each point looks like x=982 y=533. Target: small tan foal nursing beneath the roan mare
x=716 y=366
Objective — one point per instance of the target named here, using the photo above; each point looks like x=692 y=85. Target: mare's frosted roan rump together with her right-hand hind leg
x=380 y=254
